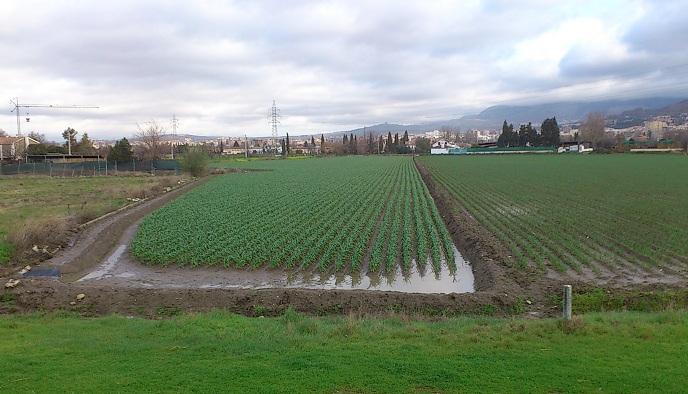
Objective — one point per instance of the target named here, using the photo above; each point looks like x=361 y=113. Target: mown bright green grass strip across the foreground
x=213 y=352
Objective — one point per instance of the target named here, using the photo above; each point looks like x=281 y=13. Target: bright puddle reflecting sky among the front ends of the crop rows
x=460 y=281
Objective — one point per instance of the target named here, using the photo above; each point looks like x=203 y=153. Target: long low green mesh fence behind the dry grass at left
x=90 y=168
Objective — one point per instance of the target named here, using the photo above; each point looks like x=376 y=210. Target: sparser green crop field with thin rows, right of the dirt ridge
x=567 y=212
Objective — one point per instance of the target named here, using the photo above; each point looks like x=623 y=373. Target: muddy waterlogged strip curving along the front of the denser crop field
x=119 y=269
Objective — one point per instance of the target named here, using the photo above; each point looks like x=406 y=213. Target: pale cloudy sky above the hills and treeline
x=330 y=65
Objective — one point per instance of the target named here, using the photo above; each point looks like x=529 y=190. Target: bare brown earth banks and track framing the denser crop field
x=501 y=288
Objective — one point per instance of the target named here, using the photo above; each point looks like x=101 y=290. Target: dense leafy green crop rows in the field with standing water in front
x=345 y=214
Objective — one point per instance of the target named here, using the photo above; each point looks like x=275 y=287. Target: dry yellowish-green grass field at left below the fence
x=37 y=199
